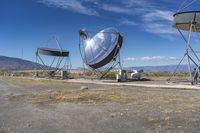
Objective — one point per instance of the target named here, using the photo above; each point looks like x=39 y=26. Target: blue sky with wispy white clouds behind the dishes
x=149 y=38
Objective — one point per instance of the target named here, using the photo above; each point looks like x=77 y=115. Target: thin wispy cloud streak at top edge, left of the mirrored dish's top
x=72 y=5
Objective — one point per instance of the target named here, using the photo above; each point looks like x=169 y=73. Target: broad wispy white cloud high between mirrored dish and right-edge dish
x=154 y=21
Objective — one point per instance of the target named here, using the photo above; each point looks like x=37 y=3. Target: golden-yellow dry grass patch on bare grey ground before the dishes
x=80 y=96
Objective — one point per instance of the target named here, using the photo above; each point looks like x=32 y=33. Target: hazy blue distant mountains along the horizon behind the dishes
x=11 y=63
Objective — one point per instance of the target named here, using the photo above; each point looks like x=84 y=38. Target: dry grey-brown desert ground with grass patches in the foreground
x=35 y=106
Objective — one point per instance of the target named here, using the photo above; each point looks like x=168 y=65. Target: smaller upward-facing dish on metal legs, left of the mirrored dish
x=53 y=60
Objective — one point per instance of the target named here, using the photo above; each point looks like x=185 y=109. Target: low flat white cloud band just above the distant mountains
x=151 y=58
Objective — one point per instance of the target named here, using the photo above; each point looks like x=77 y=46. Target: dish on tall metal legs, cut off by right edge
x=187 y=21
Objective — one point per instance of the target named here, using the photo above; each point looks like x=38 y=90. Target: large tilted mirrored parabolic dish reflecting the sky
x=100 y=49
